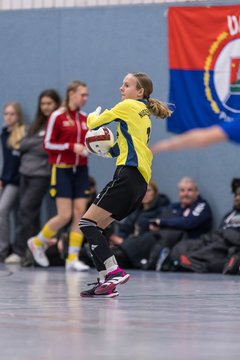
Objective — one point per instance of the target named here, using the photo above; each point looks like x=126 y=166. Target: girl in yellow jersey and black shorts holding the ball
x=125 y=192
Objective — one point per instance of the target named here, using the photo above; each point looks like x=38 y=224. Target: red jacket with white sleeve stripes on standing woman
x=64 y=129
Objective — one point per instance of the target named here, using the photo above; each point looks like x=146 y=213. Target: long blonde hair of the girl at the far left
x=17 y=131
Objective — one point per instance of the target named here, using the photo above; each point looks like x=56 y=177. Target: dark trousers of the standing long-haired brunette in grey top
x=32 y=192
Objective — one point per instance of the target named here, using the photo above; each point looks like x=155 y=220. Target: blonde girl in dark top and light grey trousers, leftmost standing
x=12 y=133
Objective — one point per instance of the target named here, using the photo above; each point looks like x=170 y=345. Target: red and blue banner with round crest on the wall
x=204 y=63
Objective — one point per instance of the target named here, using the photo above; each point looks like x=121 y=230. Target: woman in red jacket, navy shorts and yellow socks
x=64 y=142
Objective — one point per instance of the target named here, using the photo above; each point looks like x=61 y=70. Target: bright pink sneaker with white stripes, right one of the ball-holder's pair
x=113 y=279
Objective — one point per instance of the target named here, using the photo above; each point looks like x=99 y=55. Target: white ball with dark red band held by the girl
x=99 y=141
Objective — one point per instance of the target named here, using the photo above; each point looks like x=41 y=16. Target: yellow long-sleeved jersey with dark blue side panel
x=133 y=132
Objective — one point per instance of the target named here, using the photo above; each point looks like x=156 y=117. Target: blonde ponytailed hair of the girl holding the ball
x=155 y=106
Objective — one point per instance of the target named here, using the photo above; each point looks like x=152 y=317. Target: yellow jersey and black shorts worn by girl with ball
x=125 y=192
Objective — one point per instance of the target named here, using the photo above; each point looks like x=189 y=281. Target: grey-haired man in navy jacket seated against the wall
x=189 y=218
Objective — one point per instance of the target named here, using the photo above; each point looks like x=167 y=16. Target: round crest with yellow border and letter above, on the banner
x=222 y=74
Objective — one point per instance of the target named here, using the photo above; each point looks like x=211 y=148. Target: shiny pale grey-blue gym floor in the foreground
x=166 y=316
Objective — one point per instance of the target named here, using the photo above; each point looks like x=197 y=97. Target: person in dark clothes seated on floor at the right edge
x=216 y=251
